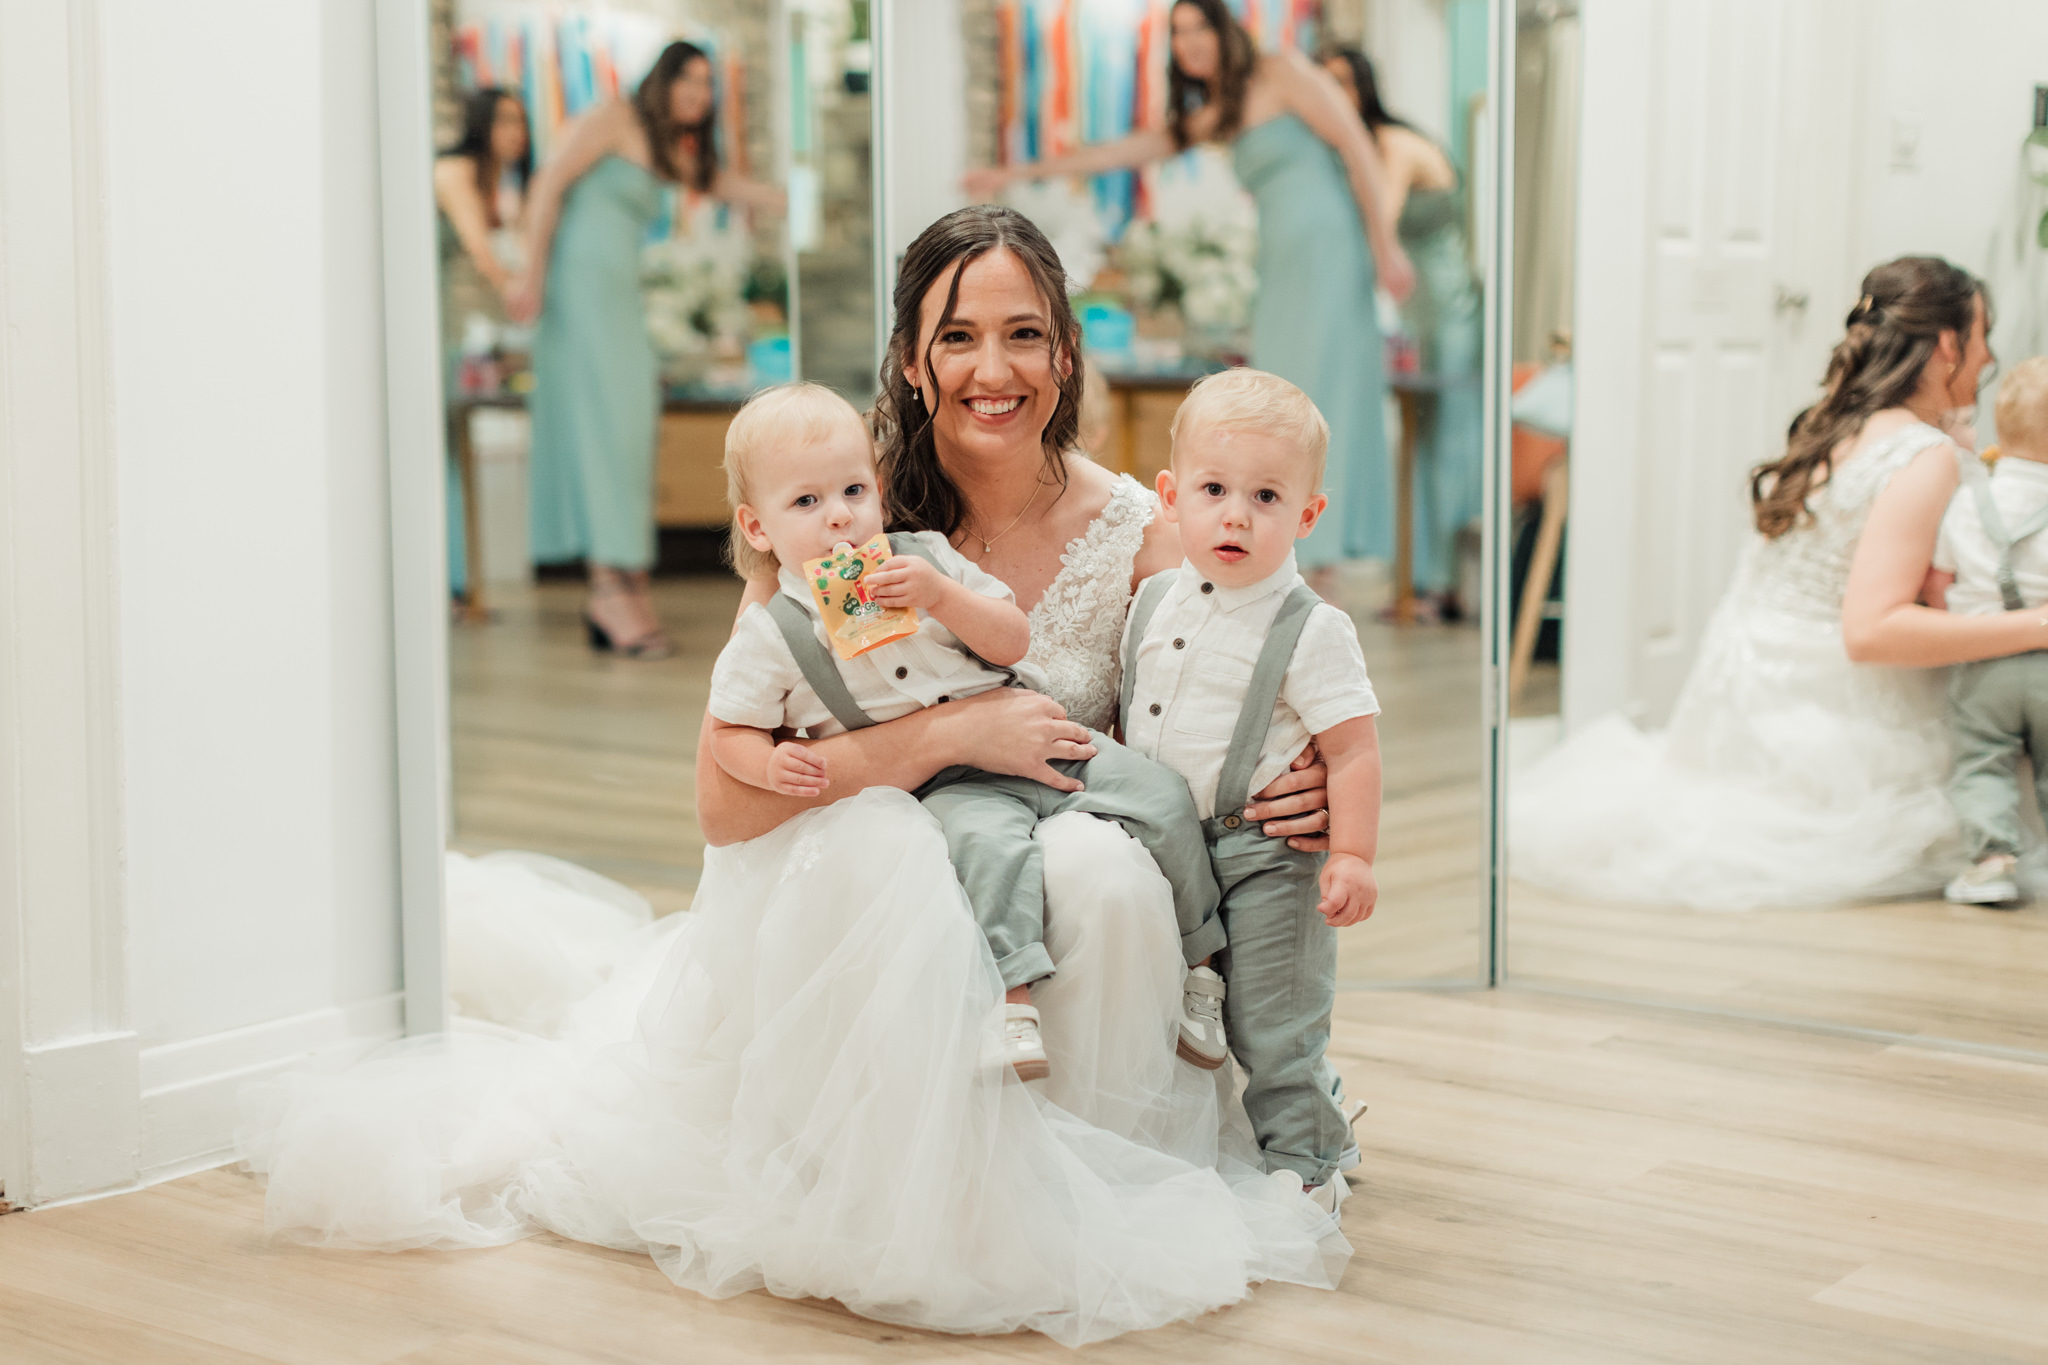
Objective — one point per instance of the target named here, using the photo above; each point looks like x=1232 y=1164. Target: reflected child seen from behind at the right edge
x=1994 y=558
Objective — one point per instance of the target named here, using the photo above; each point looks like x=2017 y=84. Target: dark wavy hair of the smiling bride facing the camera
x=919 y=490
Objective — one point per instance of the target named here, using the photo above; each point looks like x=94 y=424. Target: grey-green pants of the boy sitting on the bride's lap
x=990 y=824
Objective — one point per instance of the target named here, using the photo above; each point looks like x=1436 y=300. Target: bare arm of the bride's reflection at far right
x=1881 y=613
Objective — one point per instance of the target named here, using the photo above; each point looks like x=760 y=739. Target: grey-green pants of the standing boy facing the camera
x=1283 y=985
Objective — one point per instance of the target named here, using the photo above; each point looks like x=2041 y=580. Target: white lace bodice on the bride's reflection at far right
x=1807 y=570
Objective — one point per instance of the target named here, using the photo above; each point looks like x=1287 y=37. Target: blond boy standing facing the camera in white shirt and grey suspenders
x=1232 y=664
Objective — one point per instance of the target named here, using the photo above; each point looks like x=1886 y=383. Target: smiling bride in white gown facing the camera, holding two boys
x=783 y=1090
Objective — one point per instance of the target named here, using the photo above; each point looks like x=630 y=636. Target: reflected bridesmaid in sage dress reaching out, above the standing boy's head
x=1326 y=230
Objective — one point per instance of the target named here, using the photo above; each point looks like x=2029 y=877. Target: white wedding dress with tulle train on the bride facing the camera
x=783 y=1090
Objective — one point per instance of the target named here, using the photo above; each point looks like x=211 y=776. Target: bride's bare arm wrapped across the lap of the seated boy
x=1007 y=732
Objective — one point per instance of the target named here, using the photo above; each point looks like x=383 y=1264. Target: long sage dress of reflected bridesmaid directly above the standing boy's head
x=1314 y=324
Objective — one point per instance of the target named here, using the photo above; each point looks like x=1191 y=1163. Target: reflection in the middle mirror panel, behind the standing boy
x=1254 y=232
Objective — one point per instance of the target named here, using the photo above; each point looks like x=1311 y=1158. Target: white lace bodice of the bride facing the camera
x=1080 y=621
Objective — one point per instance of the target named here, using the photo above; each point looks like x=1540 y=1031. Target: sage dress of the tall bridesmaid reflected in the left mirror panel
x=597 y=384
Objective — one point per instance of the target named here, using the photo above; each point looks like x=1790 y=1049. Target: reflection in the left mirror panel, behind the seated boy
x=603 y=320
